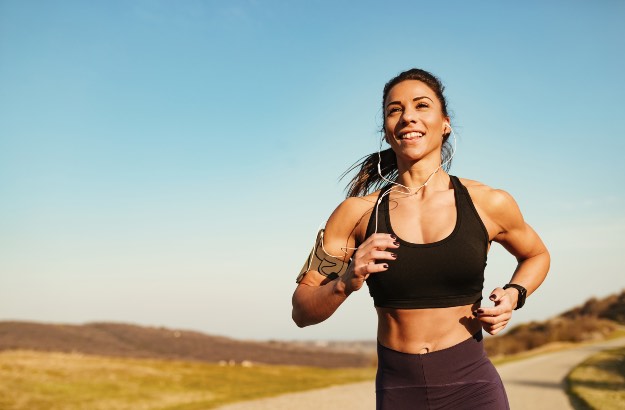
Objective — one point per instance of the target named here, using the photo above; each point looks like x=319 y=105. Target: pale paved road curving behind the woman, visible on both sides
x=534 y=384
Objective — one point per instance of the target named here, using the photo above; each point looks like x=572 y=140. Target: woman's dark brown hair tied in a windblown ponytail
x=367 y=179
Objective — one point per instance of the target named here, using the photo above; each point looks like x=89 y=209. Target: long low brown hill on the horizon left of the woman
x=124 y=340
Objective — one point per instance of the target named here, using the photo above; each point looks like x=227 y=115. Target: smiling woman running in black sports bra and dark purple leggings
x=420 y=241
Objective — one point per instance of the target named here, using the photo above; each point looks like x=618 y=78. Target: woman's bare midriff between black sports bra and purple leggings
x=421 y=331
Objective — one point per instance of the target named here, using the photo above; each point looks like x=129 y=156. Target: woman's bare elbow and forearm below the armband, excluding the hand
x=314 y=304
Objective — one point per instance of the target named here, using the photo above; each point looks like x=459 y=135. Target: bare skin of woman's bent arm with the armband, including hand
x=316 y=297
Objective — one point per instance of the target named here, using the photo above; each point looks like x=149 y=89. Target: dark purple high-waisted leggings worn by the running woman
x=459 y=377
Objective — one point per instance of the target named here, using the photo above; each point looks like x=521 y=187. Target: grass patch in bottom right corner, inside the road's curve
x=599 y=382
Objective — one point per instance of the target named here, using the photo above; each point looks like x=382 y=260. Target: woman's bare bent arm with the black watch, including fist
x=518 y=238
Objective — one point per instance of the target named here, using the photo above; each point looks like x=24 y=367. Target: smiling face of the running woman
x=414 y=123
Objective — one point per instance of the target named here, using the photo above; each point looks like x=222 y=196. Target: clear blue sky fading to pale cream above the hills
x=168 y=163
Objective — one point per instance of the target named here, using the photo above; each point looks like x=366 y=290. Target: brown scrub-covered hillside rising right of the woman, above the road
x=595 y=320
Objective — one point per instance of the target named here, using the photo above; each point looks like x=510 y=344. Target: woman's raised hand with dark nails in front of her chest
x=369 y=259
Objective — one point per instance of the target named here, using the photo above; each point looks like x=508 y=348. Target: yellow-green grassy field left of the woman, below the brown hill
x=35 y=380
